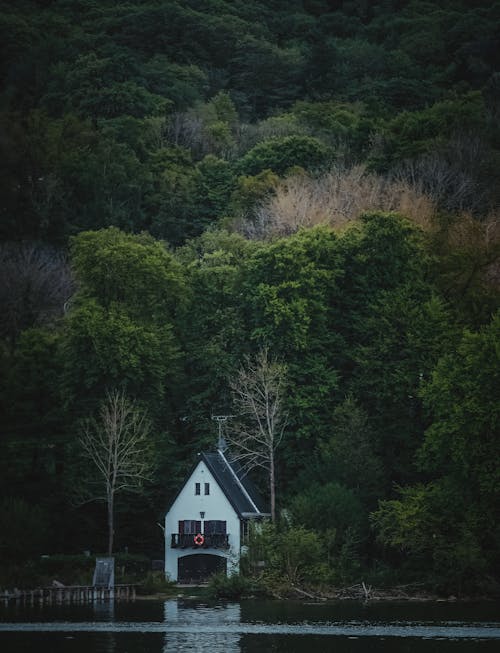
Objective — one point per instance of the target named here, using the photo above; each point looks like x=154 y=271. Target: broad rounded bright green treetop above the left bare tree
x=119 y=332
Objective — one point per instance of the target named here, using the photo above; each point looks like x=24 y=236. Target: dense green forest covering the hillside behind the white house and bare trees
x=187 y=182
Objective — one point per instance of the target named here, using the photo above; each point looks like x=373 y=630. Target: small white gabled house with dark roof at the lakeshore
x=207 y=522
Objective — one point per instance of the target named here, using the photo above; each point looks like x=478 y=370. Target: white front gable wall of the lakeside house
x=188 y=505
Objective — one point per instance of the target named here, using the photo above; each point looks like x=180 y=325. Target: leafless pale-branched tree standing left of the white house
x=117 y=444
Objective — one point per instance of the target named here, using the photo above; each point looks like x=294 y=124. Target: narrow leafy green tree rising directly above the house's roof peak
x=212 y=324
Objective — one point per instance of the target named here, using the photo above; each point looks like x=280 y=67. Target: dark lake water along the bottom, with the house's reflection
x=252 y=626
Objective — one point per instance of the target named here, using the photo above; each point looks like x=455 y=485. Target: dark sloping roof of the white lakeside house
x=239 y=490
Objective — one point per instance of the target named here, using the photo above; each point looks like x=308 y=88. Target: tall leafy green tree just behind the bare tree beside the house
x=290 y=286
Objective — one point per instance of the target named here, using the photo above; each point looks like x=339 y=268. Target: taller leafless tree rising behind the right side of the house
x=258 y=393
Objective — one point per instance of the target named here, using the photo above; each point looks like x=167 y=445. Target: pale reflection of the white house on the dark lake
x=199 y=619
